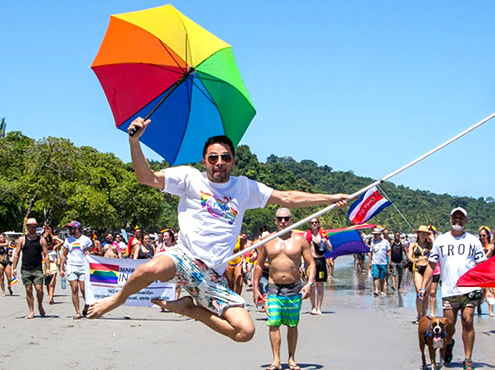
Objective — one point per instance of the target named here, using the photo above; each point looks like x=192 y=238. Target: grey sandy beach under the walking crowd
x=356 y=331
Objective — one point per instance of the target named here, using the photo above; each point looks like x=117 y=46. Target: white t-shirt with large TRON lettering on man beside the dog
x=456 y=255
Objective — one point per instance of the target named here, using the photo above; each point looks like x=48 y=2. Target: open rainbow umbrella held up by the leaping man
x=157 y=61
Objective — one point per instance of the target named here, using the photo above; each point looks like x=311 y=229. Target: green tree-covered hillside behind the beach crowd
x=53 y=180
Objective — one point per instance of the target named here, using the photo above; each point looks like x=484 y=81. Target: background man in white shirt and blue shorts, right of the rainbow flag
x=379 y=260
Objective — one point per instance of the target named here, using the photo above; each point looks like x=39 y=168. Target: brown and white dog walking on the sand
x=431 y=332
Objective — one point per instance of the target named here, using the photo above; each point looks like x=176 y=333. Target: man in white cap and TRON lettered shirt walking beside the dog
x=457 y=252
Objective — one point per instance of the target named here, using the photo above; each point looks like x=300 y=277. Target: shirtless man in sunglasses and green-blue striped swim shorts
x=285 y=291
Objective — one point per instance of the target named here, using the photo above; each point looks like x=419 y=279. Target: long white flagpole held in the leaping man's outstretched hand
x=357 y=193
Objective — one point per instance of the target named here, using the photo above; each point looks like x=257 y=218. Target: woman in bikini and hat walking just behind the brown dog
x=418 y=254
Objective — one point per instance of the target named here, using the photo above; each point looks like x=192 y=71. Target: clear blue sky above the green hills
x=365 y=86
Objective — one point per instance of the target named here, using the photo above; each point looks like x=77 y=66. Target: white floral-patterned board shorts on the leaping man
x=208 y=289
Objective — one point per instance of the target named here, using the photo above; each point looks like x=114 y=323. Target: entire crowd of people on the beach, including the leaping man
x=282 y=272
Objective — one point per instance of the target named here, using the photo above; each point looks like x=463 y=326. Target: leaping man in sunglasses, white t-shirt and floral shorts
x=211 y=208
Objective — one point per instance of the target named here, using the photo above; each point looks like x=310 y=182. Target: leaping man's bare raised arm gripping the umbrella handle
x=145 y=175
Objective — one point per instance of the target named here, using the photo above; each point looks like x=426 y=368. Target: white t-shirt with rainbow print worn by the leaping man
x=210 y=214
